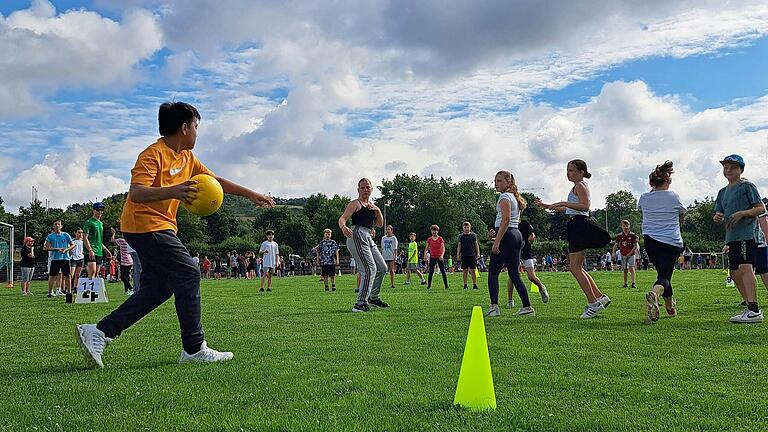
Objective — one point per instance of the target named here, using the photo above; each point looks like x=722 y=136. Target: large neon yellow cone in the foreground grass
x=475 y=387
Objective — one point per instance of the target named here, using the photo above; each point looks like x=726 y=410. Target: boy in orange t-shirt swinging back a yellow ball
x=160 y=179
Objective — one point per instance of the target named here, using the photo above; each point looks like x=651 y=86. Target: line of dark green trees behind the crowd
x=411 y=204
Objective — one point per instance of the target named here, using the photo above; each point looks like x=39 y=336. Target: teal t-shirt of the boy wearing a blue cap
x=730 y=199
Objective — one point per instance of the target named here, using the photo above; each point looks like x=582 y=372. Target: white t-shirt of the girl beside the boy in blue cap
x=661 y=216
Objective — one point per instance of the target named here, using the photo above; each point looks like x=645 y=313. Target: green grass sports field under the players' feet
x=303 y=361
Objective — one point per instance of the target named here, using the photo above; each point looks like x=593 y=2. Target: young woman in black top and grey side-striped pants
x=364 y=215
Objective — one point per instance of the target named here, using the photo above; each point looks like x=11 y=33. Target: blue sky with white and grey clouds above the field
x=299 y=97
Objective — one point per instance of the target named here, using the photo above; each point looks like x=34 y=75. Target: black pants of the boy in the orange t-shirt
x=167 y=269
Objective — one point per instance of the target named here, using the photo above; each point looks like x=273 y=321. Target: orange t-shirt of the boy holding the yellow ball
x=158 y=166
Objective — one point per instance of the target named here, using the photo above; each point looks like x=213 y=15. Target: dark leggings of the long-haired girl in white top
x=509 y=254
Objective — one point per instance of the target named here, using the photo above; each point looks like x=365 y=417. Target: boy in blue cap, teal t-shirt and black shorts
x=738 y=205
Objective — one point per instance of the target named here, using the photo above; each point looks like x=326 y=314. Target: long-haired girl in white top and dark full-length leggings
x=507 y=243
